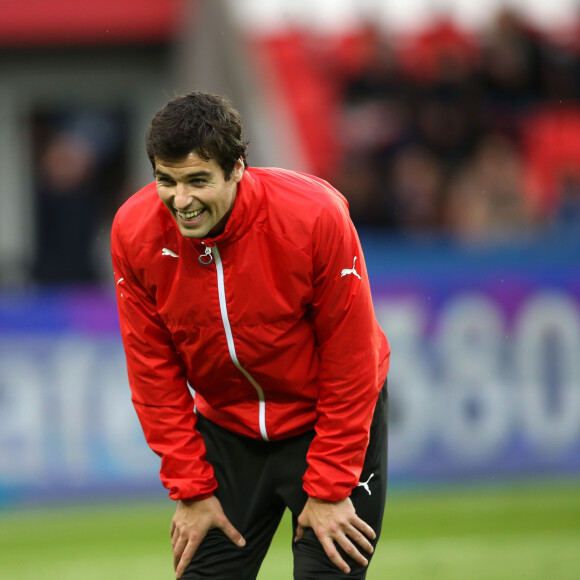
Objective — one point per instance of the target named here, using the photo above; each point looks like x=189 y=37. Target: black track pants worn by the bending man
x=257 y=480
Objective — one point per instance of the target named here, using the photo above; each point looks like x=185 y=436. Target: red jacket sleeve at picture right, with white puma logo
x=349 y=342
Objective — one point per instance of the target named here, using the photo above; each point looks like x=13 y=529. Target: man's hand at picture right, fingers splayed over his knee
x=337 y=522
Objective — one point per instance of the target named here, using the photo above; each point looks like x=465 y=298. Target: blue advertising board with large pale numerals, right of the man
x=485 y=372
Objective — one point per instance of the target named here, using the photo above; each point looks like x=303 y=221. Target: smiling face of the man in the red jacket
x=196 y=193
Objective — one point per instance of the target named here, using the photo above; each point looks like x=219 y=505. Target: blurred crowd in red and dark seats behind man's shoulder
x=477 y=137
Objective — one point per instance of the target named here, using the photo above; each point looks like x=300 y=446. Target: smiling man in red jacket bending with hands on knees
x=250 y=286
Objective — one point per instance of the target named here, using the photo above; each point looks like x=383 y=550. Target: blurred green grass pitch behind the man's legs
x=509 y=532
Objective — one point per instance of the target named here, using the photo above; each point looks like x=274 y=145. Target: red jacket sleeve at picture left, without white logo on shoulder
x=159 y=388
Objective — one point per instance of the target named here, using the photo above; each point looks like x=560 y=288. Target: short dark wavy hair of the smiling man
x=204 y=123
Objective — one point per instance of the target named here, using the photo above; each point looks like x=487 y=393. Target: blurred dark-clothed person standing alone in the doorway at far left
x=78 y=172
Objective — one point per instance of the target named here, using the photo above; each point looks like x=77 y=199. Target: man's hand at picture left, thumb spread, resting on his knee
x=190 y=524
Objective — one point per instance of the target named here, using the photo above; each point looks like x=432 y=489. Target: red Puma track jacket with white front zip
x=271 y=324
